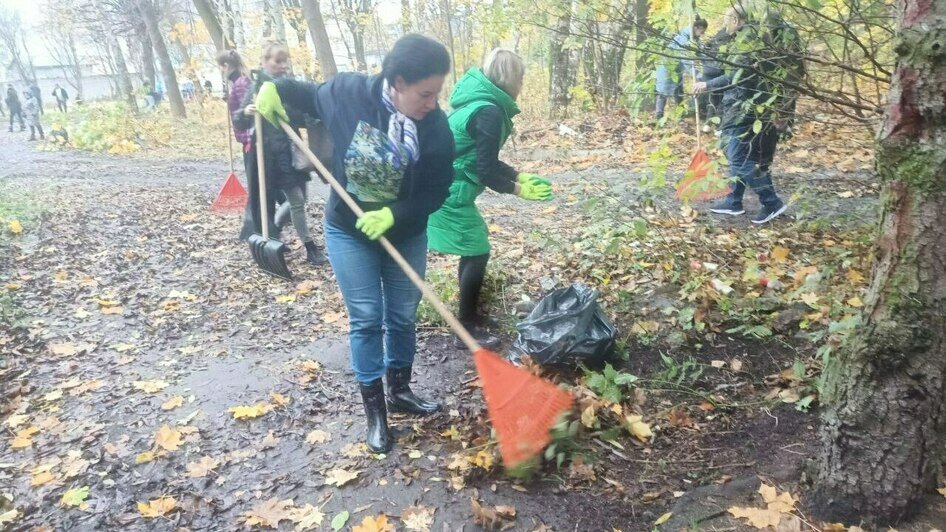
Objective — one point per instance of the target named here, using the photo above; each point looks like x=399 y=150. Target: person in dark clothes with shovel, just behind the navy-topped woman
x=280 y=173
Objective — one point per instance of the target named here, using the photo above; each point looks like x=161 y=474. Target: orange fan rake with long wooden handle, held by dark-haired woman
x=523 y=408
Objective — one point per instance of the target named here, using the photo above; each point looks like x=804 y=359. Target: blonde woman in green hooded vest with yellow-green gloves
x=484 y=103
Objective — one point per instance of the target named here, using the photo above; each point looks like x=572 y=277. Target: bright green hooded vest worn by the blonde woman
x=458 y=228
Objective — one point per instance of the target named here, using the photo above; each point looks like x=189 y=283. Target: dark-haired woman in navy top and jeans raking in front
x=394 y=154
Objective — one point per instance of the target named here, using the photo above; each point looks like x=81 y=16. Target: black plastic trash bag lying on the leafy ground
x=567 y=327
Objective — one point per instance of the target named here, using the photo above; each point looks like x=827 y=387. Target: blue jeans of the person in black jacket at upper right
x=750 y=156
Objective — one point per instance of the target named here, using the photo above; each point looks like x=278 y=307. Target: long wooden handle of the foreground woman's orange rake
x=424 y=288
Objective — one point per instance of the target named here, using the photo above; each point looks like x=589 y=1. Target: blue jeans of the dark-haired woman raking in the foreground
x=381 y=301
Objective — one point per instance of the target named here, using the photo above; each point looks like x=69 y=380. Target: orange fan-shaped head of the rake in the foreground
x=522 y=407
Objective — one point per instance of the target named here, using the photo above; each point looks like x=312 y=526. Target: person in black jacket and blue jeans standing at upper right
x=748 y=127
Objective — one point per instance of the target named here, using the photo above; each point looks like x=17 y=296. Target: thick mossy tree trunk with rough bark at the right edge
x=883 y=427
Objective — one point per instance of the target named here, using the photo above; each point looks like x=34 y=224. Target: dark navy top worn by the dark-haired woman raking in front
x=349 y=99
